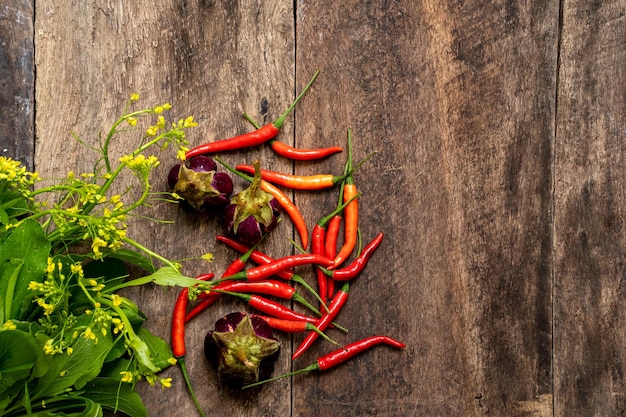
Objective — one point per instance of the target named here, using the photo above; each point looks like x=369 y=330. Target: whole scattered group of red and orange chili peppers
x=337 y=260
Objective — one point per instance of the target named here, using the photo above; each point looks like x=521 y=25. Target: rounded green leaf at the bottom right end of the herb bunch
x=116 y=396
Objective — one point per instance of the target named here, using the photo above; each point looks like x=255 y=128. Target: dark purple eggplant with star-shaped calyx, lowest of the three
x=242 y=348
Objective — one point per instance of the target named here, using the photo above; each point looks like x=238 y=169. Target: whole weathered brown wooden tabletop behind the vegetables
x=498 y=180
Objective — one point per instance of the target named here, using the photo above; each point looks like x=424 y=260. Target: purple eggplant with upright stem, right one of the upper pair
x=252 y=212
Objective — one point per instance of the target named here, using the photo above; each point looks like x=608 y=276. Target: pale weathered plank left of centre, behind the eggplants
x=211 y=60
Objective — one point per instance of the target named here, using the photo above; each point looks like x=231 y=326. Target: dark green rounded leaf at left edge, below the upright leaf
x=18 y=352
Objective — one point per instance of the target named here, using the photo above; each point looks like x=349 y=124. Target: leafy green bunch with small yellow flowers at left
x=70 y=344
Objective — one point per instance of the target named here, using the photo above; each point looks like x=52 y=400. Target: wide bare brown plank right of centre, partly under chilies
x=457 y=99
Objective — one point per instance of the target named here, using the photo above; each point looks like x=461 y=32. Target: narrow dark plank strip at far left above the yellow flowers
x=17 y=80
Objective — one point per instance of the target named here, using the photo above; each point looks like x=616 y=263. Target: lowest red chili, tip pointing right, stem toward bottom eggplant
x=339 y=356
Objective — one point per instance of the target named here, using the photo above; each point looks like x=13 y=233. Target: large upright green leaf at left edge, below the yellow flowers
x=26 y=245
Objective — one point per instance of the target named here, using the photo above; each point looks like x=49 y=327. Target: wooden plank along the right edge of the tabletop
x=589 y=217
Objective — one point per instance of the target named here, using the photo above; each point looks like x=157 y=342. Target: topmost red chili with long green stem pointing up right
x=249 y=139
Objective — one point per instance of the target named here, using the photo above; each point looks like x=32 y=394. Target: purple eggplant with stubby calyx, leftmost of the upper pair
x=200 y=185
